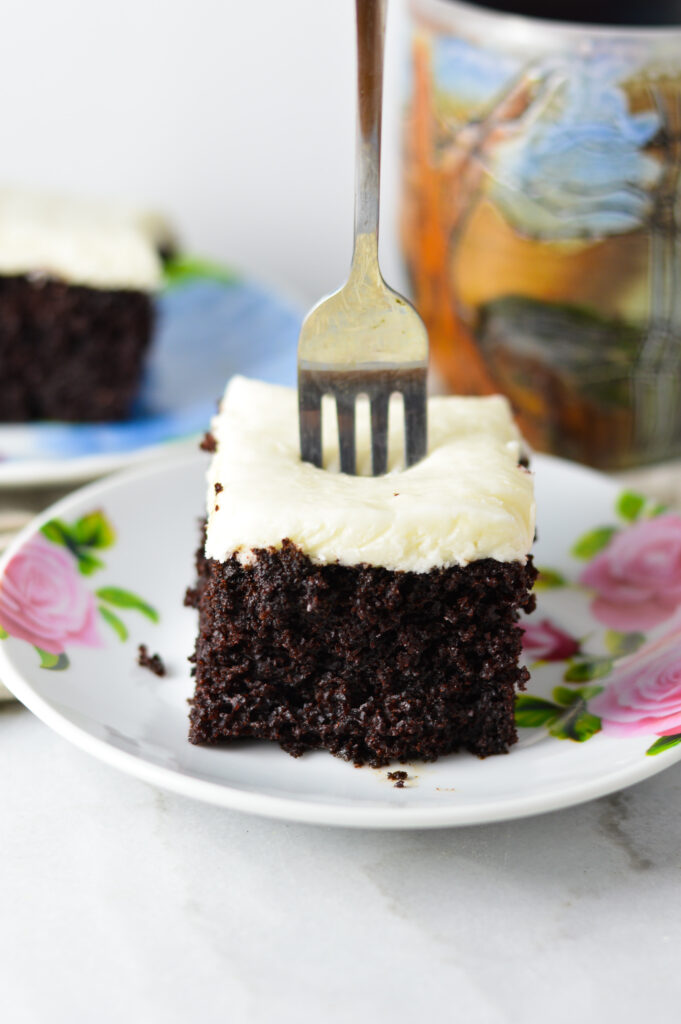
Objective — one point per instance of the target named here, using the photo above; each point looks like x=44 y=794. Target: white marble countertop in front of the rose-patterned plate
x=123 y=903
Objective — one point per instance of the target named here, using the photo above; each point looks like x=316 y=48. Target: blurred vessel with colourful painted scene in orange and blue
x=541 y=223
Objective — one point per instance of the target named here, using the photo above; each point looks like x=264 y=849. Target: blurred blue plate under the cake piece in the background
x=209 y=327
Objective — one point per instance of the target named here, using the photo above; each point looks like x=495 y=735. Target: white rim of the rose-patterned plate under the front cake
x=284 y=807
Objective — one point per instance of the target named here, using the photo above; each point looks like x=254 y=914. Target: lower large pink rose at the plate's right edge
x=645 y=698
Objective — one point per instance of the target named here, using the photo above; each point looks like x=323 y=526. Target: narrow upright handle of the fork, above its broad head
x=371 y=39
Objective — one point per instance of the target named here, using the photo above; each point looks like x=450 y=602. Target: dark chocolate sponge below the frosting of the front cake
x=371 y=665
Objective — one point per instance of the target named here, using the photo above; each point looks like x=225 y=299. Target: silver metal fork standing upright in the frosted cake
x=366 y=339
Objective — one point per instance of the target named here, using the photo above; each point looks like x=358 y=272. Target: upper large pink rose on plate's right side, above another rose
x=637 y=578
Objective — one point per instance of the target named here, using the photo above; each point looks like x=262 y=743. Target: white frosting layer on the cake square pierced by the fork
x=467 y=500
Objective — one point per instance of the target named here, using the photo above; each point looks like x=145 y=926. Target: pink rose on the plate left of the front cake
x=44 y=600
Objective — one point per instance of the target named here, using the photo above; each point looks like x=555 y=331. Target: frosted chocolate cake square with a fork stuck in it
x=371 y=617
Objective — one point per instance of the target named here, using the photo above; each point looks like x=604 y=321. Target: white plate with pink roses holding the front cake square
x=106 y=571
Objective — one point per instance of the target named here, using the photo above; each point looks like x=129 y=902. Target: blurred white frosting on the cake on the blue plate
x=79 y=241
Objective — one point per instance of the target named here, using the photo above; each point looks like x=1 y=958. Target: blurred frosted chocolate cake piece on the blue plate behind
x=77 y=280
